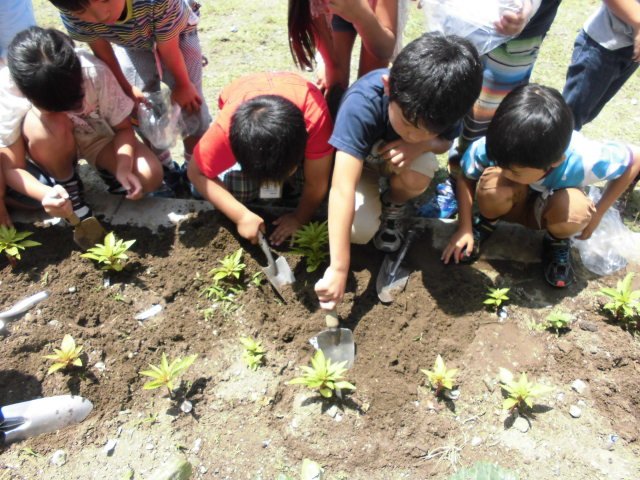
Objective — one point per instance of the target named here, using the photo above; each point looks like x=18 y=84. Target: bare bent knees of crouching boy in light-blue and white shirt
x=530 y=207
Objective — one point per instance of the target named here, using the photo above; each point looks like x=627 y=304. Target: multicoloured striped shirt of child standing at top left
x=146 y=22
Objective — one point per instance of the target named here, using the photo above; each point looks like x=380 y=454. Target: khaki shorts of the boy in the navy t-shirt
x=368 y=205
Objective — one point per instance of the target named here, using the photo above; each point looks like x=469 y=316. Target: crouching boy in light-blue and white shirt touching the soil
x=530 y=169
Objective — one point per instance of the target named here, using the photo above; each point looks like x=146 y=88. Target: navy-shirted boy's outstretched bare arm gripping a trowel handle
x=346 y=173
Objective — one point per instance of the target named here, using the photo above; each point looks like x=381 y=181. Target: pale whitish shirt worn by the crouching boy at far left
x=104 y=104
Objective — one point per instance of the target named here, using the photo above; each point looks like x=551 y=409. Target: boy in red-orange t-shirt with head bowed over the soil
x=272 y=133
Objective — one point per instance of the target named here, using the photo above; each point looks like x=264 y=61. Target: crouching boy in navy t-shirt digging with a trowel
x=391 y=122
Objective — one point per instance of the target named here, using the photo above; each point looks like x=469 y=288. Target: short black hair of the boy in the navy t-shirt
x=435 y=80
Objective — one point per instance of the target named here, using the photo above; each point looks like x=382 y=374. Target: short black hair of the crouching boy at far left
x=45 y=67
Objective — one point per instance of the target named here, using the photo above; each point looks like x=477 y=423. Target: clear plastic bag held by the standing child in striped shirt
x=160 y=120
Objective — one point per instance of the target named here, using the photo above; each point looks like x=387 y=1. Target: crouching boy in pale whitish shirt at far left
x=57 y=104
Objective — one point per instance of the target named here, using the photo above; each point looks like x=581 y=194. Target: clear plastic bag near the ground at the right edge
x=612 y=244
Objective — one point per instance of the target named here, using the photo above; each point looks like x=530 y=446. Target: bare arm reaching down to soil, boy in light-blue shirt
x=462 y=239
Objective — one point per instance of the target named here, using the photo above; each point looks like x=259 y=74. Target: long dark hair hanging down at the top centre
x=302 y=42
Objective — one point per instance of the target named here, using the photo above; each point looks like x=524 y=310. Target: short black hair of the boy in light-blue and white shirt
x=532 y=128
